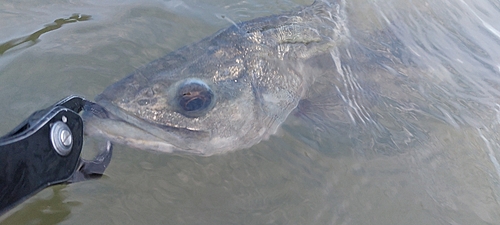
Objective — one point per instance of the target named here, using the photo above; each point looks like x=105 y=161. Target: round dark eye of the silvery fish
x=194 y=97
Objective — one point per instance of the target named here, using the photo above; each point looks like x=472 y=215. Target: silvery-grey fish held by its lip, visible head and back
x=229 y=91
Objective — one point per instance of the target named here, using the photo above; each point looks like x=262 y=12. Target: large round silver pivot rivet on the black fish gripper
x=61 y=138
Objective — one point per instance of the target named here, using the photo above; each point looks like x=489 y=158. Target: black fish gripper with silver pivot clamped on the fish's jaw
x=45 y=150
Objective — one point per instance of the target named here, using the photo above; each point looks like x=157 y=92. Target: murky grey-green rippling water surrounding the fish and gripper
x=415 y=142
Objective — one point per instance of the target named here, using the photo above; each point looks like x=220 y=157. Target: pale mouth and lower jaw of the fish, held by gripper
x=109 y=121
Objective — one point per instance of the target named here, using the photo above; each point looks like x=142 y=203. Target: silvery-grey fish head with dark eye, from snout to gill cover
x=215 y=96
